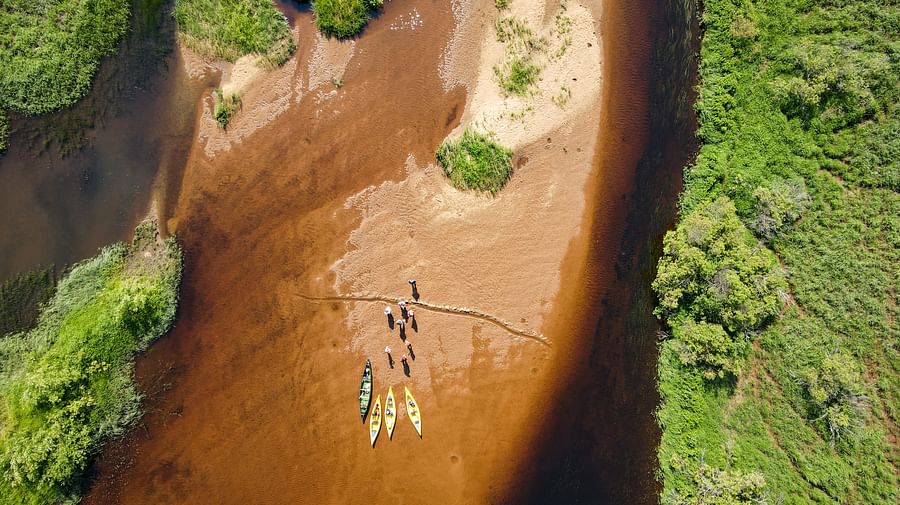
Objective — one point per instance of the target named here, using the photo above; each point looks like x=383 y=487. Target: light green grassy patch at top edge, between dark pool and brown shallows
x=229 y=29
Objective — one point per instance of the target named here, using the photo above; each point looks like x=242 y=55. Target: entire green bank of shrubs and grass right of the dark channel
x=775 y=392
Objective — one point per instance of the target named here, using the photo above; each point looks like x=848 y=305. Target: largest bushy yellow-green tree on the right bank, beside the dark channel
x=713 y=270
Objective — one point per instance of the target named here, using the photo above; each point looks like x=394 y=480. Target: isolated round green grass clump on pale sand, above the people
x=475 y=161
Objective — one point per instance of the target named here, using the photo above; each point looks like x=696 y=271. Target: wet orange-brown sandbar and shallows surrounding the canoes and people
x=306 y=206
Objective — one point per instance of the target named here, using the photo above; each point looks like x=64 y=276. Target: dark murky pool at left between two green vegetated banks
x=81 y=178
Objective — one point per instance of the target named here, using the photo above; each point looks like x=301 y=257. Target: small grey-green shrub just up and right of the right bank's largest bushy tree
x=778 y=205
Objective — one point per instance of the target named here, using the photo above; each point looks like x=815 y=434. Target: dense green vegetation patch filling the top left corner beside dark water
x=50 y=51
